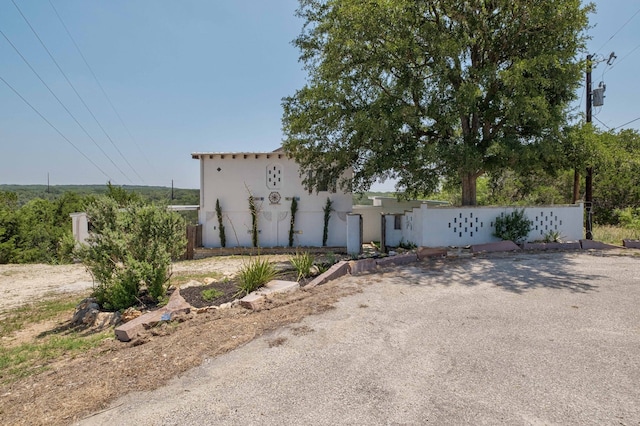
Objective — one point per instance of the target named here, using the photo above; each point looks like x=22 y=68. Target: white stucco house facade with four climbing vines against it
x=273 y=180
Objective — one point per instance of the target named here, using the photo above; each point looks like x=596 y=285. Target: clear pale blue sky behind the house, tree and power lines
x=193 y=75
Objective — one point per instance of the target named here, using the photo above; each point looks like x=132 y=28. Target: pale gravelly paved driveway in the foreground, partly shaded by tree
x=512 y=339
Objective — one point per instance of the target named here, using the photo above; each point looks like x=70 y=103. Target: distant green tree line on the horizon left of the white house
x=35 y=222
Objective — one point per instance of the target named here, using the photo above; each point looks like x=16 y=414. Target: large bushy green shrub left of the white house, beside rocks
x=129 y=251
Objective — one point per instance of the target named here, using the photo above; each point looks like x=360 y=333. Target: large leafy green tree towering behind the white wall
x=420 y=90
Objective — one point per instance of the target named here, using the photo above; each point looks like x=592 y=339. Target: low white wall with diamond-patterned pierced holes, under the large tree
x=461 y=226
